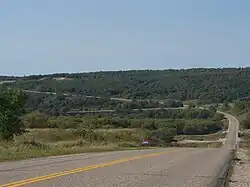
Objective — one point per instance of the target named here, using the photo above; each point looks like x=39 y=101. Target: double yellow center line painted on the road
x=77 y=170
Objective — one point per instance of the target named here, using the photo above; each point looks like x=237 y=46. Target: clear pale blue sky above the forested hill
x=49 y=36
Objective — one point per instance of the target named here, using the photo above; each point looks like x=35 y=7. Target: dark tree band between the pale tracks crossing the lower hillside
x=60 y=104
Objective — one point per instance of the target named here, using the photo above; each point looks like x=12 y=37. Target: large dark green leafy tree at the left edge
x=11 y=108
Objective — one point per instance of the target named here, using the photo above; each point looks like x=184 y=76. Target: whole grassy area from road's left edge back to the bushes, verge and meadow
x=52 y=142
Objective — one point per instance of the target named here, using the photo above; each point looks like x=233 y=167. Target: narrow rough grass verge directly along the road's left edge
x=13 y=151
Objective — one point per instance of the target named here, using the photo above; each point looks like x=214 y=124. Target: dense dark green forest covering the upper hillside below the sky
x=206 y=85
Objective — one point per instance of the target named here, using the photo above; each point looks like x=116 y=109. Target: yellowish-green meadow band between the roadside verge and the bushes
x=57 y=135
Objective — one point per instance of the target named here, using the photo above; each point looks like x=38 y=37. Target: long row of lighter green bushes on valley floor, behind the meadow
x=184 y=121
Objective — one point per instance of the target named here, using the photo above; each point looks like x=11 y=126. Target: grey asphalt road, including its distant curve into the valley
x=173 y=167
